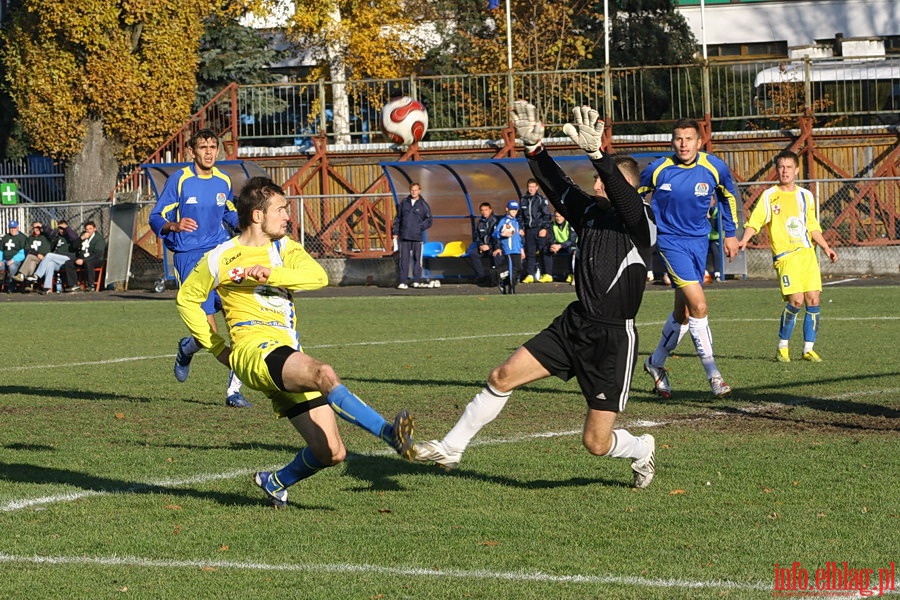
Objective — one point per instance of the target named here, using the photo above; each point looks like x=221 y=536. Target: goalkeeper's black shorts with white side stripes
x=600 y=354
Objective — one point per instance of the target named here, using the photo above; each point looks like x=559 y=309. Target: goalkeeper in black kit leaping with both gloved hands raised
x=594 y=339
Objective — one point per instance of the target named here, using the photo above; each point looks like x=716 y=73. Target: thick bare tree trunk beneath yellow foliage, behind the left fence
x=91 y=174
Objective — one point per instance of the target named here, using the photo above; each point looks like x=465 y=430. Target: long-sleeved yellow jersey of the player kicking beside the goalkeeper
x=255 y=312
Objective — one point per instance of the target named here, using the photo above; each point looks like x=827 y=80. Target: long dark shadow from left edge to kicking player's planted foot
x=26 y=473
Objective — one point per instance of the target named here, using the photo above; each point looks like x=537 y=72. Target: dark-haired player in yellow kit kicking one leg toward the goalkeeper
x=256 y=274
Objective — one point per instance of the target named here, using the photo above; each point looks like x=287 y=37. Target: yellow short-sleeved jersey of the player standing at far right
x=789 y=217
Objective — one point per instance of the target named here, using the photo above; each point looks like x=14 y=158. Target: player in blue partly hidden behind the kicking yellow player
x=190 y=216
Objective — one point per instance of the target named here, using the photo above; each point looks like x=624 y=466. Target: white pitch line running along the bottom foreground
x=408 y=572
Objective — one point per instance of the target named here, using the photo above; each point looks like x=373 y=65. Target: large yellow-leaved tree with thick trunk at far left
x=103 y=82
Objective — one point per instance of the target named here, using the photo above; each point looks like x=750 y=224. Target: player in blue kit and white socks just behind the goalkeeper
x=681 y=187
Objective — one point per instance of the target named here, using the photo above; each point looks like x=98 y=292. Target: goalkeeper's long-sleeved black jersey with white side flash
x=615 y=237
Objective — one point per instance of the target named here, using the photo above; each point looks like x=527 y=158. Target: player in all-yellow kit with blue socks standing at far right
x=788 y=214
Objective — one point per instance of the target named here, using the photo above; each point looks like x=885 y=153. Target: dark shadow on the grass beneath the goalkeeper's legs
x=379 y=472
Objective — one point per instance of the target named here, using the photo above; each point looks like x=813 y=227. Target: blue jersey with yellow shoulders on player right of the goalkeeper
x=682 y=195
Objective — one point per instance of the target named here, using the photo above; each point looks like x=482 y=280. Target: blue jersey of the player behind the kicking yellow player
x=207 y=199
